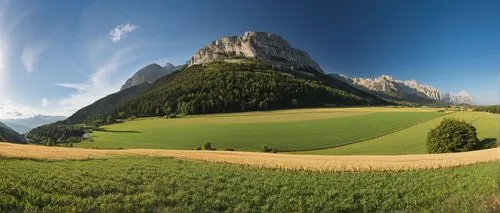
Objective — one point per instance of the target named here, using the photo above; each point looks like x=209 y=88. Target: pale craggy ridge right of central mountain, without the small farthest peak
x=388 y=88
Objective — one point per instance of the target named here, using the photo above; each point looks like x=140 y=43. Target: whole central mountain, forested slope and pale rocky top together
x=256 y=71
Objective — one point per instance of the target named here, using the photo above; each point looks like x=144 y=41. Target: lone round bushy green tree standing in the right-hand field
x=452 y=135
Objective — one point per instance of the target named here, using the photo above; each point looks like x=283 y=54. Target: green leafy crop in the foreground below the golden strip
x=160 y=183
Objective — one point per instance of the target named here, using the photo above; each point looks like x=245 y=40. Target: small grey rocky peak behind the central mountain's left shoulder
x=149 y=74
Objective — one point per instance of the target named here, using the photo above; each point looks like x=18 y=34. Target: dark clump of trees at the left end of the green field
x=53 y=134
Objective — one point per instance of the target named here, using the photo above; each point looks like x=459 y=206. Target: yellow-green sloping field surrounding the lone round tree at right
x=412 y=140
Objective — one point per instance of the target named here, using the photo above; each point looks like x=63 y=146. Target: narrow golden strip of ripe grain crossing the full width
x=266 y=160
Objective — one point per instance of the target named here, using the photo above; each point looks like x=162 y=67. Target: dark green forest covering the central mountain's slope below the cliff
x=233 y=87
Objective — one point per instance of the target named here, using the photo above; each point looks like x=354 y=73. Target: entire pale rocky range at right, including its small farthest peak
x=409 y=91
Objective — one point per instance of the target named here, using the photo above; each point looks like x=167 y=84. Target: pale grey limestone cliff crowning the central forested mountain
x=268 y=47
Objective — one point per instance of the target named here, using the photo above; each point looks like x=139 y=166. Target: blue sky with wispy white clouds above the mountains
x=58 y=56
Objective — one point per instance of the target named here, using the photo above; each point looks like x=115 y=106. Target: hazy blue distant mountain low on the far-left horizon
x=24 y=125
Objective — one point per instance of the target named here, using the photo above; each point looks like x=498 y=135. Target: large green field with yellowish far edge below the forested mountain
x=283 y=130
